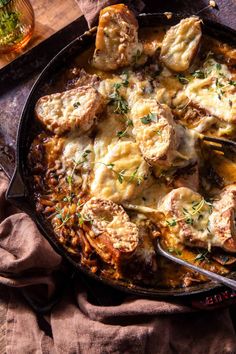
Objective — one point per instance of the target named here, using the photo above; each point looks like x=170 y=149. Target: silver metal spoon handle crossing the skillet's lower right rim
x=213 y=276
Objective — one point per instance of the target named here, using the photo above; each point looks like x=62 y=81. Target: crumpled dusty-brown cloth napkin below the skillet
x=31 y=269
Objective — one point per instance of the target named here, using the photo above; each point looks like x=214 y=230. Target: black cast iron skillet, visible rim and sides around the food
x=19 y=189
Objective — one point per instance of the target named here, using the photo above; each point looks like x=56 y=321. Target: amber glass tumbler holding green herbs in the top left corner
x=16 y=24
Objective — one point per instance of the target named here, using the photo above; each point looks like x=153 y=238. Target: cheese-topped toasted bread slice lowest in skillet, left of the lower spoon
x=112 y=235
